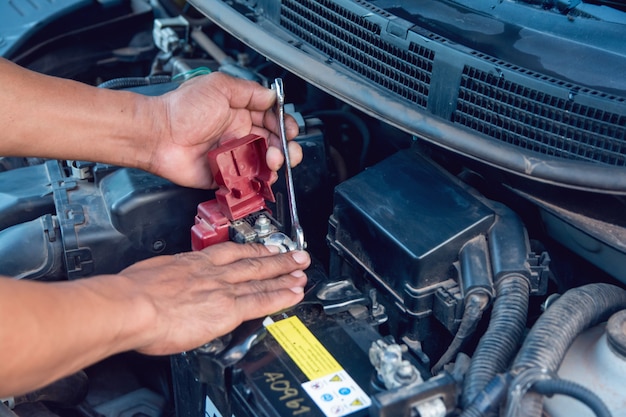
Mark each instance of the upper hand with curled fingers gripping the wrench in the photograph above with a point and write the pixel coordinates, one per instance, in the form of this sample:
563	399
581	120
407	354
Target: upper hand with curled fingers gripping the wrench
206	111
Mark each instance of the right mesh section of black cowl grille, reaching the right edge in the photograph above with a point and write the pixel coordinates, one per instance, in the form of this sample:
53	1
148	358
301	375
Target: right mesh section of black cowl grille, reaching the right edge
538	121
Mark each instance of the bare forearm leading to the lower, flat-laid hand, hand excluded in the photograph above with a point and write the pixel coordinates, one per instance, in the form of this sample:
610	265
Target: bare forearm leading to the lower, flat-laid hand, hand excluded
48	331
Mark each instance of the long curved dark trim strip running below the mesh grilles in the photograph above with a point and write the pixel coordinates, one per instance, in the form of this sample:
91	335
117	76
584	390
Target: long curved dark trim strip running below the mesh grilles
571	174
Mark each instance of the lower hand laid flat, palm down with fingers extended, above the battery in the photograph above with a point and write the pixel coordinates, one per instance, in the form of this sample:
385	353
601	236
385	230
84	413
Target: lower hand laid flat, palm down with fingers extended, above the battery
199	296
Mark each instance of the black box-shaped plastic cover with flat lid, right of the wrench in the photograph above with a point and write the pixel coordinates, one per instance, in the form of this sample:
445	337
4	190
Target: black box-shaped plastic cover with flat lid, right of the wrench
404	221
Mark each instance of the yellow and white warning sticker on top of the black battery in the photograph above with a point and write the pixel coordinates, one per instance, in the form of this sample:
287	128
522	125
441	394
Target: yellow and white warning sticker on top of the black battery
331	388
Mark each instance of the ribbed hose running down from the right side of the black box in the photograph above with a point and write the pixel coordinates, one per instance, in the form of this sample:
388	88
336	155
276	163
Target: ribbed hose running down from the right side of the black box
502	338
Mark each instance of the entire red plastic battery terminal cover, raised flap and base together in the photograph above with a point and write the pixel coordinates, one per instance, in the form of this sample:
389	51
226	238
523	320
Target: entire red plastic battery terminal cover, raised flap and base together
243	177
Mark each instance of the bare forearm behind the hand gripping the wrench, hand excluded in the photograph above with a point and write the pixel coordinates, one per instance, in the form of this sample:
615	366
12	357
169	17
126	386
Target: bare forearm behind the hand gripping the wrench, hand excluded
62	119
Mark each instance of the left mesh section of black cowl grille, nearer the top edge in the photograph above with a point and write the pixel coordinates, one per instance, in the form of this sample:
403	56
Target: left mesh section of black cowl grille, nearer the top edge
355	42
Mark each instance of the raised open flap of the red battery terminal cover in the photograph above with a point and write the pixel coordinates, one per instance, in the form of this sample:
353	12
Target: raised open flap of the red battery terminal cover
243	177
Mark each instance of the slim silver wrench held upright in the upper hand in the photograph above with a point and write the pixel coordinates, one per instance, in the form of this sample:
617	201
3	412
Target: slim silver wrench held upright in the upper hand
297	234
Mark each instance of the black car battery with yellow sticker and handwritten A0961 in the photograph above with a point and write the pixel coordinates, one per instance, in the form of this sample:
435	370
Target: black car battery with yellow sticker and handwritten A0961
305	363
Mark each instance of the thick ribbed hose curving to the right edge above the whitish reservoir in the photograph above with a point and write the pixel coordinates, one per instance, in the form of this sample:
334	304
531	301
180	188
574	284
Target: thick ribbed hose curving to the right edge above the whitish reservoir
553	333
